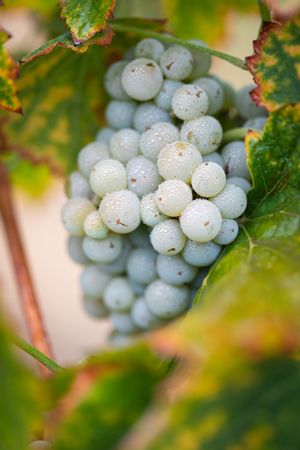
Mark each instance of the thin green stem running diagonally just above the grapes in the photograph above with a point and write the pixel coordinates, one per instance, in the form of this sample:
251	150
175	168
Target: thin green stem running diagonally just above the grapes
173	40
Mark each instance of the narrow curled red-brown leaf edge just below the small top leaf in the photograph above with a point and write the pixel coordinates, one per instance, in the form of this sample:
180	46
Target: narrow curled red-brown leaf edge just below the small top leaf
64	40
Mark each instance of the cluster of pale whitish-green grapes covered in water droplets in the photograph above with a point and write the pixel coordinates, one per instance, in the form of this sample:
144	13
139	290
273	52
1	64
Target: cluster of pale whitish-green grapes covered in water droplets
156	195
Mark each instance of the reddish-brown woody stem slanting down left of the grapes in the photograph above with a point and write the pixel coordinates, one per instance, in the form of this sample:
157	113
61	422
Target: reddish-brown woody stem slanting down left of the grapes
25	284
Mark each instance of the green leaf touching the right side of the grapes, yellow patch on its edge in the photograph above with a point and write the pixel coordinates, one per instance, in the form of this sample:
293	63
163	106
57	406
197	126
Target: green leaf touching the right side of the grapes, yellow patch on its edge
270	228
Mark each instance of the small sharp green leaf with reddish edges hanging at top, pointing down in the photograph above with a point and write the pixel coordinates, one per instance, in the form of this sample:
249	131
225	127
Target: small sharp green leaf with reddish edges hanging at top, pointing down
87	17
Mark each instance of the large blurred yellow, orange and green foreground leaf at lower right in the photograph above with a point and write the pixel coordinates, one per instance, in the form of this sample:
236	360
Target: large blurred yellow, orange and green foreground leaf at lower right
242	389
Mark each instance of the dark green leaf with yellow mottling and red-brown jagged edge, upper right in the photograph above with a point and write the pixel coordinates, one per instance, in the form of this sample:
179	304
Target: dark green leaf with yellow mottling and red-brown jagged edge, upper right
275	65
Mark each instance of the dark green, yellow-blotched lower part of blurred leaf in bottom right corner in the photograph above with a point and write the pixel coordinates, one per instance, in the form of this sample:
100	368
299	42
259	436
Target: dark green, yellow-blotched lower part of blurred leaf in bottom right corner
249	407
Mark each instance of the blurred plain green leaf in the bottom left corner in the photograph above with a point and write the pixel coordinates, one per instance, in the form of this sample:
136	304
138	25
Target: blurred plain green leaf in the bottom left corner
18	398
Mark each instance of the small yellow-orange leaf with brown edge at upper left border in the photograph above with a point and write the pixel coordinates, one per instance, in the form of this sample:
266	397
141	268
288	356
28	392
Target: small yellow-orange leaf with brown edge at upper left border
9	71
